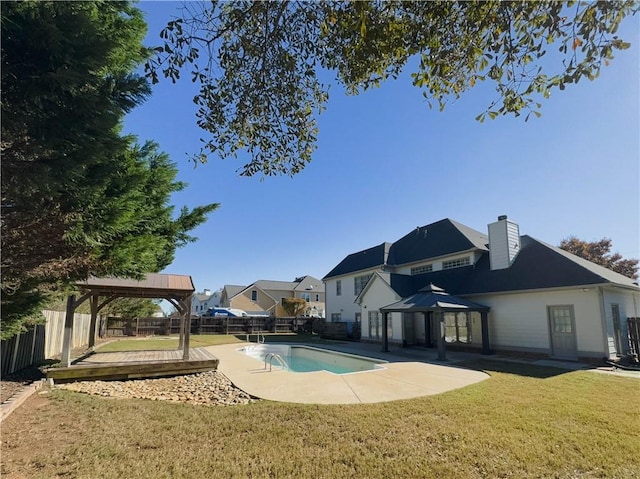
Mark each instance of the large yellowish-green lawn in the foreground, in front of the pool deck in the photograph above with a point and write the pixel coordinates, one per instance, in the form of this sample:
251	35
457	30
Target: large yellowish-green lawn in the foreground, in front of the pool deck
524	422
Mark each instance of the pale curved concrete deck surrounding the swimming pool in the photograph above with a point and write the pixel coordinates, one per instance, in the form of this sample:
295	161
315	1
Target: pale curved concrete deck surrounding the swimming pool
400	379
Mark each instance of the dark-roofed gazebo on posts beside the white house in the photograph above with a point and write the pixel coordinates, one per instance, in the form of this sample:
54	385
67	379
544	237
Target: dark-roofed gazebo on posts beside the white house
434	300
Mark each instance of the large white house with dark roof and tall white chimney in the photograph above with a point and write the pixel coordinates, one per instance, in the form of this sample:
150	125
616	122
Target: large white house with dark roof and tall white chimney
500	292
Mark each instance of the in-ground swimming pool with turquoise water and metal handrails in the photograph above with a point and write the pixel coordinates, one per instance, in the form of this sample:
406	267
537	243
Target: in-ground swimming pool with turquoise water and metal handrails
304	359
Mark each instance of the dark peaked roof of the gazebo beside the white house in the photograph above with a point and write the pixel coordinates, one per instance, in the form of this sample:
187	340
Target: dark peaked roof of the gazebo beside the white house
433	298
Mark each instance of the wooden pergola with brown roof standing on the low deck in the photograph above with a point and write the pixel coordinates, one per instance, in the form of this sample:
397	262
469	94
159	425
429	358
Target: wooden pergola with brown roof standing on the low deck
176	289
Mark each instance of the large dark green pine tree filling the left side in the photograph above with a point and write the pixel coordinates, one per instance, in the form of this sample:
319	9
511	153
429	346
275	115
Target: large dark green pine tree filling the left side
78	197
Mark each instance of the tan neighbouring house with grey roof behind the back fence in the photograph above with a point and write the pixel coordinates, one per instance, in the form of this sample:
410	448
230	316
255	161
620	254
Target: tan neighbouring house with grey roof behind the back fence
267	295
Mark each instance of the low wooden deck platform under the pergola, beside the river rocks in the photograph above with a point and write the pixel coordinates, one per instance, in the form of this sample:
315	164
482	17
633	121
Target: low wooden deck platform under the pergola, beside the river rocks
135	365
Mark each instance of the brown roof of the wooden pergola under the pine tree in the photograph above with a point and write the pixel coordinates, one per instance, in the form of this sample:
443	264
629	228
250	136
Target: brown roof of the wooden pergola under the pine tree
154	285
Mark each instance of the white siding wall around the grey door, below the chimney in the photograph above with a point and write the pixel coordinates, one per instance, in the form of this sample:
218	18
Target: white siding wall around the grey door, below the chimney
520	321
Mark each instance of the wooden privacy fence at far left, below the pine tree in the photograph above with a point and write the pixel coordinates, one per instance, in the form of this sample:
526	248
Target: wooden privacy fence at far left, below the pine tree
43	341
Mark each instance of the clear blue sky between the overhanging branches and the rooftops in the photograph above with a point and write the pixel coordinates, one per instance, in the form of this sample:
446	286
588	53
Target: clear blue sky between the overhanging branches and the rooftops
386	163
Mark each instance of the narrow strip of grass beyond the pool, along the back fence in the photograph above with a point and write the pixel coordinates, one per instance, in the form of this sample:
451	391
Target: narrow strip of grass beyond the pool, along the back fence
201	340
